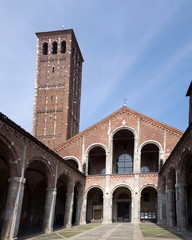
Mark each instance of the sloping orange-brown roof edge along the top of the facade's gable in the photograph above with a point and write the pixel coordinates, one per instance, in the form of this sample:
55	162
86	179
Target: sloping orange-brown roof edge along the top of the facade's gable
124	109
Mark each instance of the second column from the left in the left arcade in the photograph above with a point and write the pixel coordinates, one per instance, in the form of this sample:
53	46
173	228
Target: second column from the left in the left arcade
49	210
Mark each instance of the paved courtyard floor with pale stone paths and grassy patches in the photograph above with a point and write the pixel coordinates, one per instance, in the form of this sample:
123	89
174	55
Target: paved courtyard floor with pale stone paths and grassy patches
115	231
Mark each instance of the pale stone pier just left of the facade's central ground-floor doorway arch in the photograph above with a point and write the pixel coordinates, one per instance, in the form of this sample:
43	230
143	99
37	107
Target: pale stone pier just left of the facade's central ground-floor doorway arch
107	209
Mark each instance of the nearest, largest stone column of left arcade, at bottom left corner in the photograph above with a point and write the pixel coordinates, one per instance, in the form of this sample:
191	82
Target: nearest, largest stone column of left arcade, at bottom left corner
13	208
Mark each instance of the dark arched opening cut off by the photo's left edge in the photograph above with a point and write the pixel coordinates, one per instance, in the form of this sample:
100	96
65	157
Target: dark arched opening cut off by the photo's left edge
4	176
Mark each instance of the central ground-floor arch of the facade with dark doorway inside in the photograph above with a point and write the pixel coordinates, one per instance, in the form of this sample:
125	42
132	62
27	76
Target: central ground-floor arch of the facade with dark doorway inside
121	205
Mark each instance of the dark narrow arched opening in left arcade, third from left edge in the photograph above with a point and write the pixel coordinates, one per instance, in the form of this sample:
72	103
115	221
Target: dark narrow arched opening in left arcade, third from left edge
62	188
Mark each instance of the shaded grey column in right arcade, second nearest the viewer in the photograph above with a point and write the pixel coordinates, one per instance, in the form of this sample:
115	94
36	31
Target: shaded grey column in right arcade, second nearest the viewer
170	207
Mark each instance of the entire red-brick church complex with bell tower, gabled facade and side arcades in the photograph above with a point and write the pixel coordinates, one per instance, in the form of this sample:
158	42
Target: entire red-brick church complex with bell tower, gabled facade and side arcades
125	168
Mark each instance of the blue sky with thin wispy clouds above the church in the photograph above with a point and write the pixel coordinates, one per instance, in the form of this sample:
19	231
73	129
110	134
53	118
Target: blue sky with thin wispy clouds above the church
134	49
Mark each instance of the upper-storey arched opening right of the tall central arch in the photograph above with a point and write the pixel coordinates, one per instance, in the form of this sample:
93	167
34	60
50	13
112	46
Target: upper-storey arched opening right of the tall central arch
149	158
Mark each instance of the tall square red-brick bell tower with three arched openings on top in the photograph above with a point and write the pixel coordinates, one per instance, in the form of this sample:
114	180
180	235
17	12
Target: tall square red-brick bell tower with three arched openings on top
58	87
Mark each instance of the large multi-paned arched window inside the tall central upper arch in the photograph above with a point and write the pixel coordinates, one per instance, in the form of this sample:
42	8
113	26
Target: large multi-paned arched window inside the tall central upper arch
124	164
